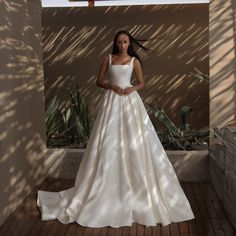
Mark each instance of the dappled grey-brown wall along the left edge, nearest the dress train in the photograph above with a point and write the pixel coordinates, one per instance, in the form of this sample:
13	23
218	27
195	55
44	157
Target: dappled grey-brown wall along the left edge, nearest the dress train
22	131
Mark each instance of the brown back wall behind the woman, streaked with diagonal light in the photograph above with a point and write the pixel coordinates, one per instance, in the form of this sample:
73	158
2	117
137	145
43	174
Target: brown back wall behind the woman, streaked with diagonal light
75	40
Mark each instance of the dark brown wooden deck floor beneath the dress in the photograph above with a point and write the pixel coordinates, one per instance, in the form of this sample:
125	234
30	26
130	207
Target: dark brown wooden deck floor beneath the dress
210	216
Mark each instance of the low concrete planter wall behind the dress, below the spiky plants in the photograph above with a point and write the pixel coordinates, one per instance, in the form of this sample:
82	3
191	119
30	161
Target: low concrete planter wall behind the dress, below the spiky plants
189	165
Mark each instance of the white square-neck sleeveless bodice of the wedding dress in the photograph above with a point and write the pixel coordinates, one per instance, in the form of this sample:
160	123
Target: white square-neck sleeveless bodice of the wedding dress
120	75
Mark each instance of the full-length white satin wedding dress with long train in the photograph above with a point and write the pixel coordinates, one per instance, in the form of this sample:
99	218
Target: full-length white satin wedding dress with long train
125	175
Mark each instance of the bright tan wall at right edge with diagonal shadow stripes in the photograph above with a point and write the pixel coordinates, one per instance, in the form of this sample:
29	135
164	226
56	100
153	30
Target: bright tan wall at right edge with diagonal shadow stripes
223	64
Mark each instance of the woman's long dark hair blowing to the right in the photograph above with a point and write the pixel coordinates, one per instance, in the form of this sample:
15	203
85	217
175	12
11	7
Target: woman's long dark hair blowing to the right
134	44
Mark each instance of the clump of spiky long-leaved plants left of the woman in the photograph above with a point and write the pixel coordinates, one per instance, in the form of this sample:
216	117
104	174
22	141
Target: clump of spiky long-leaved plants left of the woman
69	125
